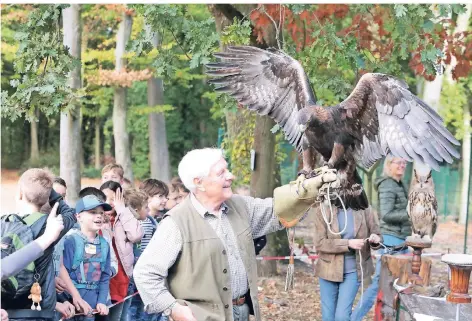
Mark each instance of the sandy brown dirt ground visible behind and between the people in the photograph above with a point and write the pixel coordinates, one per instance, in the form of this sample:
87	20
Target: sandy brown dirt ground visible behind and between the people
303	302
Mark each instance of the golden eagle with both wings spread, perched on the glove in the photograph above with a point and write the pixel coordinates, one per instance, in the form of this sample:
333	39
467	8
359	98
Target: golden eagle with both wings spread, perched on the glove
381	116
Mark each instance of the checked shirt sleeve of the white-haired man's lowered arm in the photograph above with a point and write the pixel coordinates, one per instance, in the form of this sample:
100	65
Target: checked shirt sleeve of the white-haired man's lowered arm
152	268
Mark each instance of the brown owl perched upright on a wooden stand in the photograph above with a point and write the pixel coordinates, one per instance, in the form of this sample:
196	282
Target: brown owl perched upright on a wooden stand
422	207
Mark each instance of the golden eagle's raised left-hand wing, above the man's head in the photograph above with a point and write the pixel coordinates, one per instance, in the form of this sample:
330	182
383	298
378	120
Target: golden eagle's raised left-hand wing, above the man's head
266	81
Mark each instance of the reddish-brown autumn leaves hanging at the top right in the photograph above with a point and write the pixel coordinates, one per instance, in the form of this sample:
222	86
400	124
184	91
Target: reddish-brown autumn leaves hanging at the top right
369	29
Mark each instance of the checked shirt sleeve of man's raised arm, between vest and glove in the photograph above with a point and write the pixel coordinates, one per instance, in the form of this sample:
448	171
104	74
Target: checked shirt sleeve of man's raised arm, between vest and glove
262	217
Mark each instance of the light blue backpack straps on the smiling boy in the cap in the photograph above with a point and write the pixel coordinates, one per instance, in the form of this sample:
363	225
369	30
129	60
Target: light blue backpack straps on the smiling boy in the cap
80	259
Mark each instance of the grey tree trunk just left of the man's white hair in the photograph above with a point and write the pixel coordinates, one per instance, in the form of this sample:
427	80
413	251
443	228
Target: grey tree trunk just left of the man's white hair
158	148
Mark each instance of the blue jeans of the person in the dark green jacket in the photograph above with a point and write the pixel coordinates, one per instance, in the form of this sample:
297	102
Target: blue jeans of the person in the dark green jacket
370	294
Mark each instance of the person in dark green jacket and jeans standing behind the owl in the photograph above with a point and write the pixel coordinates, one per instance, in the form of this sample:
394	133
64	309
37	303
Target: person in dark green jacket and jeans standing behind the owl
395	224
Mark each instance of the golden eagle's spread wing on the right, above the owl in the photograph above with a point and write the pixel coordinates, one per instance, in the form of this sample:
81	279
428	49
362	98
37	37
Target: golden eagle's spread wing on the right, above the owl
386	117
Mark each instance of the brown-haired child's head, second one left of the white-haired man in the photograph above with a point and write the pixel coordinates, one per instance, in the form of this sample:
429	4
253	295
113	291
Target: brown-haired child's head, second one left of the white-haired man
157	192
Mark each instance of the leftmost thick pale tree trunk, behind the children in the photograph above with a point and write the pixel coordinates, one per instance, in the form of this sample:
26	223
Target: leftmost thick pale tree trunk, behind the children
70	121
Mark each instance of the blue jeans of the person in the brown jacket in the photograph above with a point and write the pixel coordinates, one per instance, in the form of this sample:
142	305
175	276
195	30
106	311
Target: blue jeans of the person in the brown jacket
337	297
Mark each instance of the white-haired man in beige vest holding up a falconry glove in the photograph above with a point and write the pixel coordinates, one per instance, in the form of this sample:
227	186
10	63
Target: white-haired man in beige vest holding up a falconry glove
200	263
